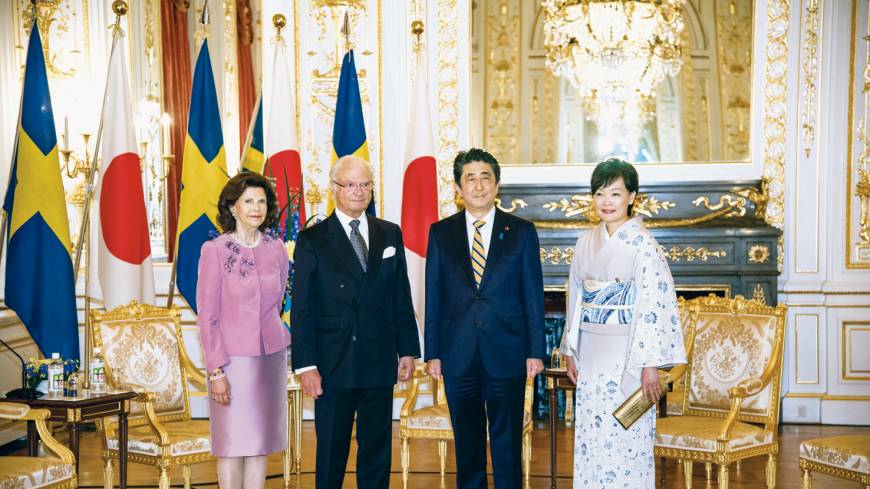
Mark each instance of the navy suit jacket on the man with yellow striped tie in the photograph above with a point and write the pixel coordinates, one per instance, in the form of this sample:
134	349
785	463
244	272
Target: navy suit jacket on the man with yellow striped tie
503	320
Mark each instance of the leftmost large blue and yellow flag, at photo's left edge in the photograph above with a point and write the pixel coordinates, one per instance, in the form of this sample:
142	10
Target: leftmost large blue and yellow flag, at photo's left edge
40	287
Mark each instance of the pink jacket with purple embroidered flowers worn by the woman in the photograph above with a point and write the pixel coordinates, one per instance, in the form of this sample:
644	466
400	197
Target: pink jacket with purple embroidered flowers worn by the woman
238	297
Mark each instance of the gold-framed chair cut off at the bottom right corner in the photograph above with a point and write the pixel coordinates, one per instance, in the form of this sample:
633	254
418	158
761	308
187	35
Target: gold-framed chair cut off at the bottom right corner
846	457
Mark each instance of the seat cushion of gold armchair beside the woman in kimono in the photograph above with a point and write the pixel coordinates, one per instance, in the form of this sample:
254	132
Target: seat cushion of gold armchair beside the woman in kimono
699	433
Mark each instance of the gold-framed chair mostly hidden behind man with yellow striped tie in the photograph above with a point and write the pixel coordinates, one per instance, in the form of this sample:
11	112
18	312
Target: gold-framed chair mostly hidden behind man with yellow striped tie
433	422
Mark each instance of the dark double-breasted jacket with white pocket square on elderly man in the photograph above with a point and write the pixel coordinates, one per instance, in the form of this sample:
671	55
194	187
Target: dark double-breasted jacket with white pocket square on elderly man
352	325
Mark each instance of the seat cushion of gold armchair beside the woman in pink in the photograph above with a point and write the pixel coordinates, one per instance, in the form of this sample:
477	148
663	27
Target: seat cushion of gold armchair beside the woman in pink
185	437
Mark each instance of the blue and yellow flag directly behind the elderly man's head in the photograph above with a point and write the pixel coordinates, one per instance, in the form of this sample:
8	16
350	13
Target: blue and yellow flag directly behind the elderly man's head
349	130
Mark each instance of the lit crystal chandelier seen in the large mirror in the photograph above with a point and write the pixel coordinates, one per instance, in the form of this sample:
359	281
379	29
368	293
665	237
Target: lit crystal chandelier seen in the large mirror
615	52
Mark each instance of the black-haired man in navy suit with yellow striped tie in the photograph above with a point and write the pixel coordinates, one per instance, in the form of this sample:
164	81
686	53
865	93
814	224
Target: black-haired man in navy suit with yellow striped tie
484	322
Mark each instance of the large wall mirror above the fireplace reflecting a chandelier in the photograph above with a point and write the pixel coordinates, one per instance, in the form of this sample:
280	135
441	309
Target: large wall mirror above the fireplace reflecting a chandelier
577	81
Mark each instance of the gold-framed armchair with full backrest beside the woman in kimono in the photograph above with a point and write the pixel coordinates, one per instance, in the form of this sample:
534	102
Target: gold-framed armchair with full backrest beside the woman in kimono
731	396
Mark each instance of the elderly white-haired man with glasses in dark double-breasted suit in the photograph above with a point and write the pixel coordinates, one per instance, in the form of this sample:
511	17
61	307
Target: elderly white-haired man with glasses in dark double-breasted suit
354	330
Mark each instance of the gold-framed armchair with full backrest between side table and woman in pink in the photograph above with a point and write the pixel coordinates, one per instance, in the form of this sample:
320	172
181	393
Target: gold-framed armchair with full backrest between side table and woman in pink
144	351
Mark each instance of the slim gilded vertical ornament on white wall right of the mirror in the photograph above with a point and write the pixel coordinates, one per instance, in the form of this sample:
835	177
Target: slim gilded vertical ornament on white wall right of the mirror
809	71
